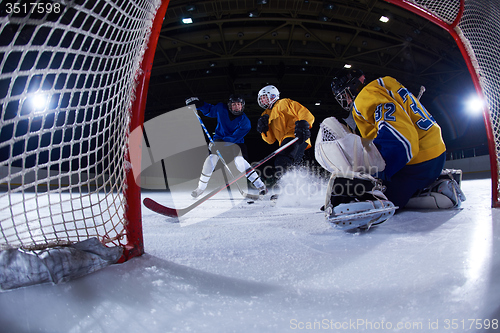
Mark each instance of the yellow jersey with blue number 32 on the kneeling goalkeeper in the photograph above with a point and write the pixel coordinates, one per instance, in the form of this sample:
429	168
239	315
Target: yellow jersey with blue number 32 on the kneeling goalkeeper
401	128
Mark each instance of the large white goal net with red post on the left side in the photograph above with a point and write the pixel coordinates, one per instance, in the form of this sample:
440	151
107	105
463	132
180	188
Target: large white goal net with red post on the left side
72	79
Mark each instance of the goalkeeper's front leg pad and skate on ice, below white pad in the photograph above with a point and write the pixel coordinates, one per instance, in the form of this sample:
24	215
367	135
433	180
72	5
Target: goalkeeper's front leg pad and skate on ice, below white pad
356	200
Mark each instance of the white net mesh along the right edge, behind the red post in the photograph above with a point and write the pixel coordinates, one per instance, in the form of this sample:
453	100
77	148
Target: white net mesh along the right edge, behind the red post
479	30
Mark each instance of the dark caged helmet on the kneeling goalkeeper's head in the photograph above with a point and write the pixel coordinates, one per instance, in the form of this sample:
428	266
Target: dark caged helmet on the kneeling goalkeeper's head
346	85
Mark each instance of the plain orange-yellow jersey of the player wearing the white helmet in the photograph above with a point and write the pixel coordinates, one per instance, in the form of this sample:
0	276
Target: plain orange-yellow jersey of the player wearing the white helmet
282	118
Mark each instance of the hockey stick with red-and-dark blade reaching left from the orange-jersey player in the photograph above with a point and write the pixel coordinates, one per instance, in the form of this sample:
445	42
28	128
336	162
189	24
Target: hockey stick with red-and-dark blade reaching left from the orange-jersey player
173	212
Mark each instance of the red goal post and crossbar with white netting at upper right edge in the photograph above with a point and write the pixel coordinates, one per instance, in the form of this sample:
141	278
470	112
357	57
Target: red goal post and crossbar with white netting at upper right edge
475	26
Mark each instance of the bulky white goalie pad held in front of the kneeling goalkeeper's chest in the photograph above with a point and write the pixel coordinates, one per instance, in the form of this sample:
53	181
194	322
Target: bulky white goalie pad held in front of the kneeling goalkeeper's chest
338	150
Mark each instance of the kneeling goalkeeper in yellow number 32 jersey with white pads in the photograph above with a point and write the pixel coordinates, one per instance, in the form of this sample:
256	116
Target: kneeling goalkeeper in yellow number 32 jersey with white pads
396	162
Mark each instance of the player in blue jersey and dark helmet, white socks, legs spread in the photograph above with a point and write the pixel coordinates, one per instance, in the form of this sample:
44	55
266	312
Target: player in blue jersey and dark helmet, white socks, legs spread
232	126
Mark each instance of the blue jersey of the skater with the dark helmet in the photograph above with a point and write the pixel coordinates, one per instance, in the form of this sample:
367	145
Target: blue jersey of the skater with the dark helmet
227	130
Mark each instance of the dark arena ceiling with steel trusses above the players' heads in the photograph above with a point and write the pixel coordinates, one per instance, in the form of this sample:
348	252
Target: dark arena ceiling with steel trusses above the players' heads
297	45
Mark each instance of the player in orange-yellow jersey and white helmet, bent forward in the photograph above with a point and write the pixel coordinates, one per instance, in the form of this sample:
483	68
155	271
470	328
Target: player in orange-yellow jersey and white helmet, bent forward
283	120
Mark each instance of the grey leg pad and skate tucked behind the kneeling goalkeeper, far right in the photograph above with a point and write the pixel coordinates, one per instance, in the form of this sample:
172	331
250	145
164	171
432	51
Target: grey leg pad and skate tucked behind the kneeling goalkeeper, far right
444	193
